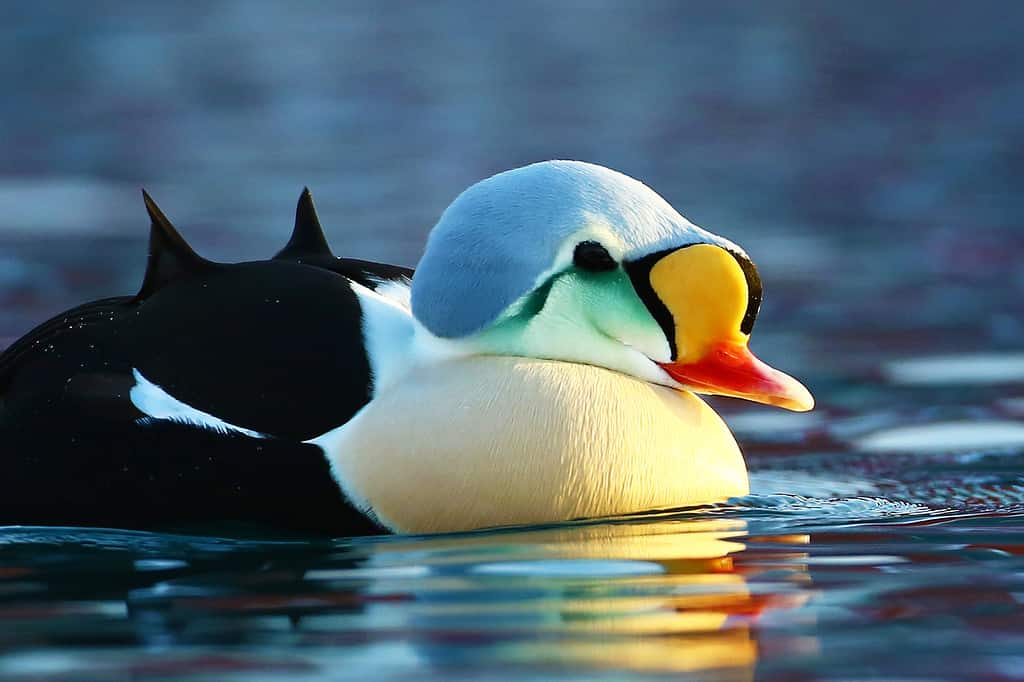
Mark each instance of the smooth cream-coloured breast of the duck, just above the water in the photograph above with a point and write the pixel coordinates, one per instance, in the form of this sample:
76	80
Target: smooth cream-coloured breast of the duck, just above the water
484	442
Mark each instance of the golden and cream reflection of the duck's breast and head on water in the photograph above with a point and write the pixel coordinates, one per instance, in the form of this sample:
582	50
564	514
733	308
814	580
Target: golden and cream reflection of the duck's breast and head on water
670	595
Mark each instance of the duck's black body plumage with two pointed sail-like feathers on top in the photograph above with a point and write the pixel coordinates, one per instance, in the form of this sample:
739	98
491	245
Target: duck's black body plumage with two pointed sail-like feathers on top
273	347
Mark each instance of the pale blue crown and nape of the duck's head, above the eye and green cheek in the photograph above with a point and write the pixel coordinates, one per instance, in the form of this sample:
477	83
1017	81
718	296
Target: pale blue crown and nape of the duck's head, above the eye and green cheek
499	237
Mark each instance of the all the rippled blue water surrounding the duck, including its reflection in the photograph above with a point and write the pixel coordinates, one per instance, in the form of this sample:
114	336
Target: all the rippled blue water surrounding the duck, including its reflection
868	157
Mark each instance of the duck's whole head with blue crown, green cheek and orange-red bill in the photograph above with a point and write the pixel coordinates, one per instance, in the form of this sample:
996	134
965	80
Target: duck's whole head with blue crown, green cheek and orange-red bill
572	262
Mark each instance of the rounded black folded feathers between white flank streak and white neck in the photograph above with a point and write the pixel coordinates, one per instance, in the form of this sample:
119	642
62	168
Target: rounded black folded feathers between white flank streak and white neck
273	347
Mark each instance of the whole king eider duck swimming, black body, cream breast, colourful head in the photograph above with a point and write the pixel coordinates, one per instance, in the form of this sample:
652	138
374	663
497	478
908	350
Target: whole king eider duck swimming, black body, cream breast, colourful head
541	366
